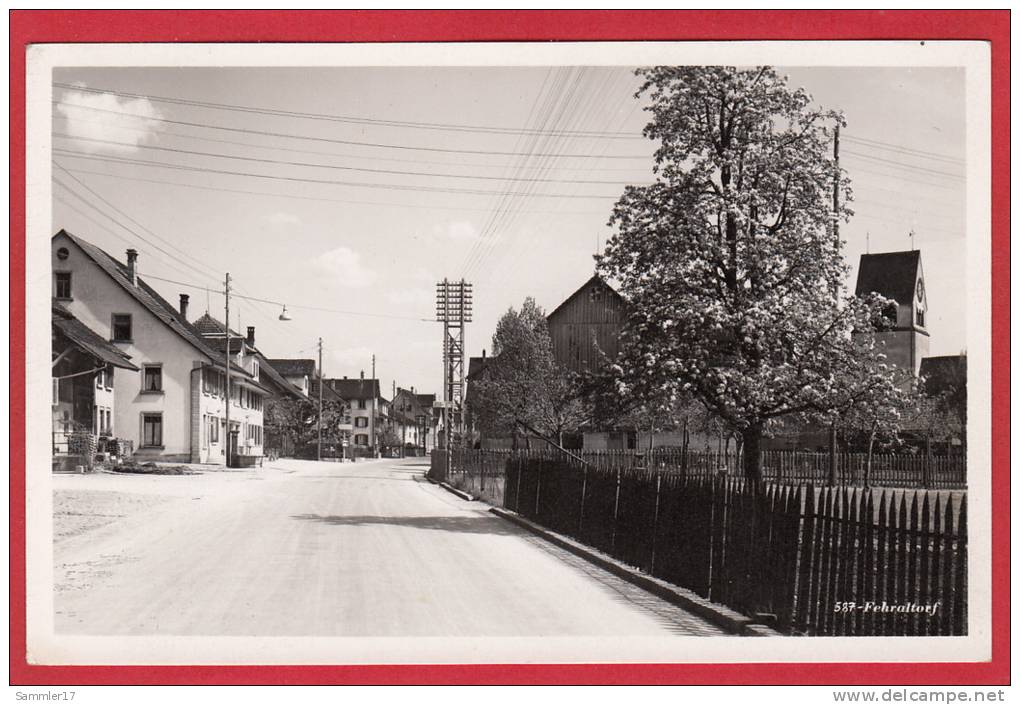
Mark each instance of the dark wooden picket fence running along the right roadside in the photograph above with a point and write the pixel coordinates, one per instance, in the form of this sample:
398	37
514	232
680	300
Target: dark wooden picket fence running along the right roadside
806	560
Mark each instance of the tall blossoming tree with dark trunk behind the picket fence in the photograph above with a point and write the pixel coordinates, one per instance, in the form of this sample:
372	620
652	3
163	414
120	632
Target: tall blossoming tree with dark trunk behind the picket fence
729	260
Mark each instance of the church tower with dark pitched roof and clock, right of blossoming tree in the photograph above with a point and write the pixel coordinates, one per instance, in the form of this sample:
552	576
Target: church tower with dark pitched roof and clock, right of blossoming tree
899	276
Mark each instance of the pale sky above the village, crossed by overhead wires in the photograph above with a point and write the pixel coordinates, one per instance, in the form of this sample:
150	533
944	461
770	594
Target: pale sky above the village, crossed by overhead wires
346	194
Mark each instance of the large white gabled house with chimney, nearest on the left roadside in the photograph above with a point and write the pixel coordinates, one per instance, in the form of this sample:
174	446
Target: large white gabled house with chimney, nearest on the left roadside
174	408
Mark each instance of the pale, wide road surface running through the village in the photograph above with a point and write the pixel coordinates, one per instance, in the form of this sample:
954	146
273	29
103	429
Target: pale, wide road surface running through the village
301	548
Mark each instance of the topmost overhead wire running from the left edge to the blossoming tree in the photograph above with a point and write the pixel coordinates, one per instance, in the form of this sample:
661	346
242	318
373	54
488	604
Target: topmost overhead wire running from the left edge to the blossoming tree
448	127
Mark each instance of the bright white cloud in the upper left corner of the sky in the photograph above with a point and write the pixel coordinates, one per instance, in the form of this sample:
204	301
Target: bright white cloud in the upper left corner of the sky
96	120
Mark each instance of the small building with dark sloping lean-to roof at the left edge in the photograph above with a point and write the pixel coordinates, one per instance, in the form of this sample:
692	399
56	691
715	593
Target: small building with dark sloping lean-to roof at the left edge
84	366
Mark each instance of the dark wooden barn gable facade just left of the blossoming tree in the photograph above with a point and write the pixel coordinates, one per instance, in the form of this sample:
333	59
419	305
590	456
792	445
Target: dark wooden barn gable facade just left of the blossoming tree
587	326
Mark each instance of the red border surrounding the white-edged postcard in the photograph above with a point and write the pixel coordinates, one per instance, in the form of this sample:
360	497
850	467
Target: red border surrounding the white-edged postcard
28	27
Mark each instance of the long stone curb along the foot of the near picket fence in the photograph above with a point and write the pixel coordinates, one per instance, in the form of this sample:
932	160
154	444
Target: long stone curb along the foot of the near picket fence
729	620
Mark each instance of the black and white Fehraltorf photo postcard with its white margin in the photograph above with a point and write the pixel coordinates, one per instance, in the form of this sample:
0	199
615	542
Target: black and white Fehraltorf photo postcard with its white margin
462	355
